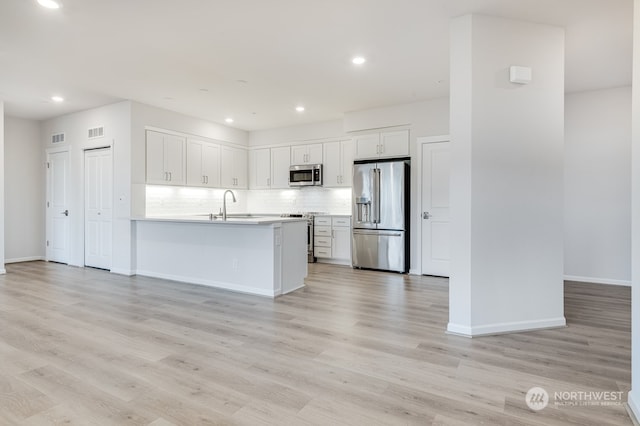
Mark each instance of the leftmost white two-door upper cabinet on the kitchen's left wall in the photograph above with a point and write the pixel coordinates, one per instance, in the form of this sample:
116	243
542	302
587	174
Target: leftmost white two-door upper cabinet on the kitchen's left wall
165	157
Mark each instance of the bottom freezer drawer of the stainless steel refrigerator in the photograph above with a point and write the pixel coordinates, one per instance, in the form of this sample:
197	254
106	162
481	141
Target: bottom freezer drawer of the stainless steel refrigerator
379	250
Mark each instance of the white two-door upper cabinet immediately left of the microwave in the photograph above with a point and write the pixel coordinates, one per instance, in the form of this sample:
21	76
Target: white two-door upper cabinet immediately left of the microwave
269	168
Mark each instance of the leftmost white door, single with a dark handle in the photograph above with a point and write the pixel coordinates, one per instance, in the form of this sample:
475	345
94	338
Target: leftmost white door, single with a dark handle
57	246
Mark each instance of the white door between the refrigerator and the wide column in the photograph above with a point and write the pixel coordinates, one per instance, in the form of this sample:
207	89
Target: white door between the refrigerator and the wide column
435	208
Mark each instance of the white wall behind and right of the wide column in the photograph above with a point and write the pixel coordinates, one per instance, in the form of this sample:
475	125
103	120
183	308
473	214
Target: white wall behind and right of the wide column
597	222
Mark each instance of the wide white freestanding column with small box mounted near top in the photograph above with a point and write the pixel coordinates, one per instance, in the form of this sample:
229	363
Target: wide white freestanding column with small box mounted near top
507	177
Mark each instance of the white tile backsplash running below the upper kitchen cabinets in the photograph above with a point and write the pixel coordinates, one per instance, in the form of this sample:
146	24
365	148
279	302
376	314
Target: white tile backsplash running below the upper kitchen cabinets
175	201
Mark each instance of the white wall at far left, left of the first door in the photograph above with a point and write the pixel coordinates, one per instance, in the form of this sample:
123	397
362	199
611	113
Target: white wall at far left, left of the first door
24	191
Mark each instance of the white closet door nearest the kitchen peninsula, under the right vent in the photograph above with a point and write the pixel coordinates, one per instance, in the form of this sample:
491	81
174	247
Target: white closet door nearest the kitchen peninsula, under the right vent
98	208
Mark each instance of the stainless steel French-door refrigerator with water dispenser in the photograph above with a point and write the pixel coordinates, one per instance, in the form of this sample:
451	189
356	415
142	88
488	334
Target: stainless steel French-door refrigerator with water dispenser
380	238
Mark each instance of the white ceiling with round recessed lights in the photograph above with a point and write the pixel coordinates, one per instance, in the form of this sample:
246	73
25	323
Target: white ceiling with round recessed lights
255	60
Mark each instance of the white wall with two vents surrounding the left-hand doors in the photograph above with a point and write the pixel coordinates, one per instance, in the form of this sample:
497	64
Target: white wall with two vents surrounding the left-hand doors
116	121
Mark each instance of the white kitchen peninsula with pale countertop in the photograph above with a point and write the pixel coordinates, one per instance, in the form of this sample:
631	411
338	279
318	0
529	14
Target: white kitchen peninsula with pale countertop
262	255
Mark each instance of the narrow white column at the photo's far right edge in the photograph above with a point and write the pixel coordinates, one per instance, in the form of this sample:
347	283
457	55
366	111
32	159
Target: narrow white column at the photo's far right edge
634	394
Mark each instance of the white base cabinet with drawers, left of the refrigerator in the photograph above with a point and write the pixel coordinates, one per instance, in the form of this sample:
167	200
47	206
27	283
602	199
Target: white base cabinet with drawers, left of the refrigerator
332	239
